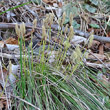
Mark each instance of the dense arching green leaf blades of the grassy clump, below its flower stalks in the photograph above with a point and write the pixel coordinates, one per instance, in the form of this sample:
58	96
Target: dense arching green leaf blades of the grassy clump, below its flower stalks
49	89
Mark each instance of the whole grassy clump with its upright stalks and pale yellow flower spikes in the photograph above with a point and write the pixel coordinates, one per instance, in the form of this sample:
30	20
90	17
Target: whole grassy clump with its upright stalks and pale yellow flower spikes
48	88
